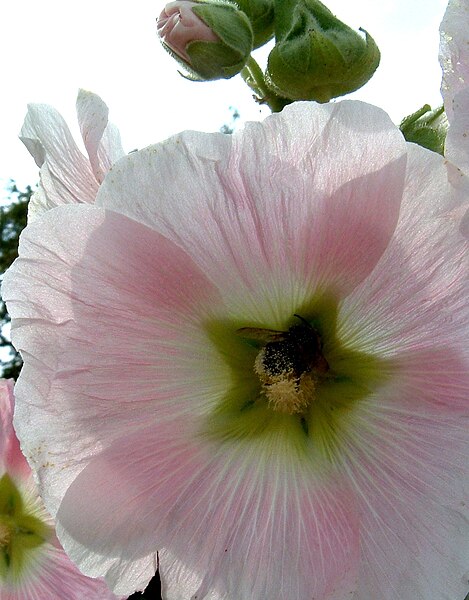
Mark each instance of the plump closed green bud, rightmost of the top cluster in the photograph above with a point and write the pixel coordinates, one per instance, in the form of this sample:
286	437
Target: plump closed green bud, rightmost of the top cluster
316	56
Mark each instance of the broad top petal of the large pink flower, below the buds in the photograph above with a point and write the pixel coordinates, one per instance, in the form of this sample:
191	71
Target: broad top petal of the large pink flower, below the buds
319	178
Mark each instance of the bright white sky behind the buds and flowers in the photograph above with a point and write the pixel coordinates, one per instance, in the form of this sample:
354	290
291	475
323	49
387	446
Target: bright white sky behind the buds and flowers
50	48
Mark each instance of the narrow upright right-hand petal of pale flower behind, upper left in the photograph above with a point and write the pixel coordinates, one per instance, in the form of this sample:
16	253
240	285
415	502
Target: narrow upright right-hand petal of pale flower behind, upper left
101	139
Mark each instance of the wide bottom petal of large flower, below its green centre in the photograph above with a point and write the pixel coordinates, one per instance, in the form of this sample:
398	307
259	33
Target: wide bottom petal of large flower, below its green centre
263	528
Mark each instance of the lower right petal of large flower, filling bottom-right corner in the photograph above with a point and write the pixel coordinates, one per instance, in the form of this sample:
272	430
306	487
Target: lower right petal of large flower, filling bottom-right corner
408	463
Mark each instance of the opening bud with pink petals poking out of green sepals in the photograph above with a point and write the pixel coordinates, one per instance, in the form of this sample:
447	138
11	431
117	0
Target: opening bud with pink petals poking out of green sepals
212	40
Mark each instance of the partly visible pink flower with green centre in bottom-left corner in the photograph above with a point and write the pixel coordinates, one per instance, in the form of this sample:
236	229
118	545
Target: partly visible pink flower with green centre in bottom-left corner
33	565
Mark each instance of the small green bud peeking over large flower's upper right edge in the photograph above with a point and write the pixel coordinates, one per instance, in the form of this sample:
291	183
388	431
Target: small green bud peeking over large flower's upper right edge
427	128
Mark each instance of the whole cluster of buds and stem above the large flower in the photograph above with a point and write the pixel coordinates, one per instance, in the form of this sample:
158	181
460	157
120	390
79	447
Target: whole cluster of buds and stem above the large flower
315	56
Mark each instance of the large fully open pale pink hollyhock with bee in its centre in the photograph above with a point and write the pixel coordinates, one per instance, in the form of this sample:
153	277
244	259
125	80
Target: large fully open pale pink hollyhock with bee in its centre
251	354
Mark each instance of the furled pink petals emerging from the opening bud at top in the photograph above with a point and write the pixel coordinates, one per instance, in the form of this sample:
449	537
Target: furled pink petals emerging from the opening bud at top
178	25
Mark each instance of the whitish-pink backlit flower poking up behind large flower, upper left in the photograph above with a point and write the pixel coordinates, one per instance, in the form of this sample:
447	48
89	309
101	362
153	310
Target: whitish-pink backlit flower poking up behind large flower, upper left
66	175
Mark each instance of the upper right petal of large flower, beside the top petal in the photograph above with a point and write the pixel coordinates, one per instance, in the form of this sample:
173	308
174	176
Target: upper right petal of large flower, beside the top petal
415	301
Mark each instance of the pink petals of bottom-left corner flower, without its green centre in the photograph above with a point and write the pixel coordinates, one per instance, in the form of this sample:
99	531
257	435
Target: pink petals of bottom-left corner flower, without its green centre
47	571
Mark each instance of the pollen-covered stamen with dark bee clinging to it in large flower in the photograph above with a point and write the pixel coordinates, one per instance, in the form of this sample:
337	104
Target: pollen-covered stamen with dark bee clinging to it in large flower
289	365
